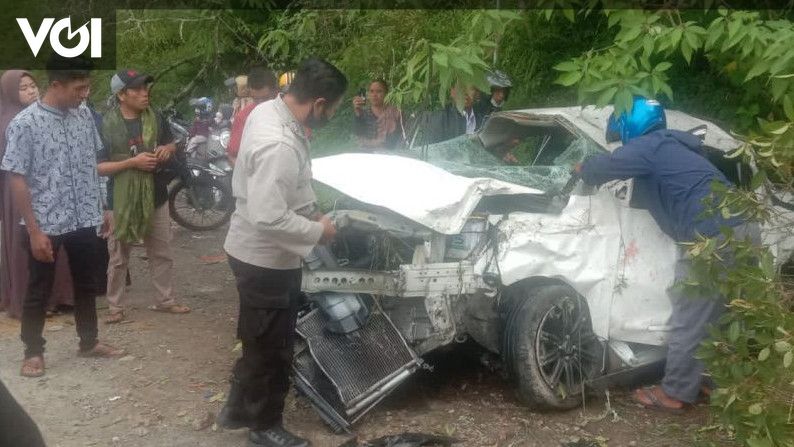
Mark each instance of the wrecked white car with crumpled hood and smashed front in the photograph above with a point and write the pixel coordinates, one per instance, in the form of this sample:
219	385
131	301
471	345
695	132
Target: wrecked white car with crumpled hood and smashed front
447	243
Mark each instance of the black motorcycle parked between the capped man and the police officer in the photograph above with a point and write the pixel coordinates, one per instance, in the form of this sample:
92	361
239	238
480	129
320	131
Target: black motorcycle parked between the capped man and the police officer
201	197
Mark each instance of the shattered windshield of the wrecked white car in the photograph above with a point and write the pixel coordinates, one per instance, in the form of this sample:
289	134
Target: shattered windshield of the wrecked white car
466	156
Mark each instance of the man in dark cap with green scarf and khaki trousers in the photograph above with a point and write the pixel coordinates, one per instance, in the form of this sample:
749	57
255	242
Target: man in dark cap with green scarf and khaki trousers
138	143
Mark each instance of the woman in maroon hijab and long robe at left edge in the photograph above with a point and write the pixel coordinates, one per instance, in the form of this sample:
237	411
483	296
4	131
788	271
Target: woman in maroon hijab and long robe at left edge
18	90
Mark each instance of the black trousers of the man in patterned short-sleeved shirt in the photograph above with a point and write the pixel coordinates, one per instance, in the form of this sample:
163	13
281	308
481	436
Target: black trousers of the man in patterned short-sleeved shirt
82	248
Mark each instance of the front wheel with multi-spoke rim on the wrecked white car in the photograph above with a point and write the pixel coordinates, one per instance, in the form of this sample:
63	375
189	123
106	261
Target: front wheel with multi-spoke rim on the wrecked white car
549	346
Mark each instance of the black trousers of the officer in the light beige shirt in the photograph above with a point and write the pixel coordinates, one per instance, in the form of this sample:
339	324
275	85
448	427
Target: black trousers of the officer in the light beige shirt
269	301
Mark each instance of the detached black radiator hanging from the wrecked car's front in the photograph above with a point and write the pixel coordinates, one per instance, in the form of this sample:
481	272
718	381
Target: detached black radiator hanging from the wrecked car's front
357	364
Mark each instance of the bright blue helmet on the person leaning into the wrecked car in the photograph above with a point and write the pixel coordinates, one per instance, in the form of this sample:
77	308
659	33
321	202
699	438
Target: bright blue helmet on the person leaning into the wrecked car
646	115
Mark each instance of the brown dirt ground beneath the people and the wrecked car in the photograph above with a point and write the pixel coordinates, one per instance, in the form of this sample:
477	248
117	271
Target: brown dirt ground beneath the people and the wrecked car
168	389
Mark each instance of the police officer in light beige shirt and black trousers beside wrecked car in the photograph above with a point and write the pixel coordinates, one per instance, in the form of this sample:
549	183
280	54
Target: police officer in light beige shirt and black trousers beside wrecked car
273	227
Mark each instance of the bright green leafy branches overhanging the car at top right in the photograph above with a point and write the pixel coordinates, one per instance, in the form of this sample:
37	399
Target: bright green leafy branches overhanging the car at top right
648	43
